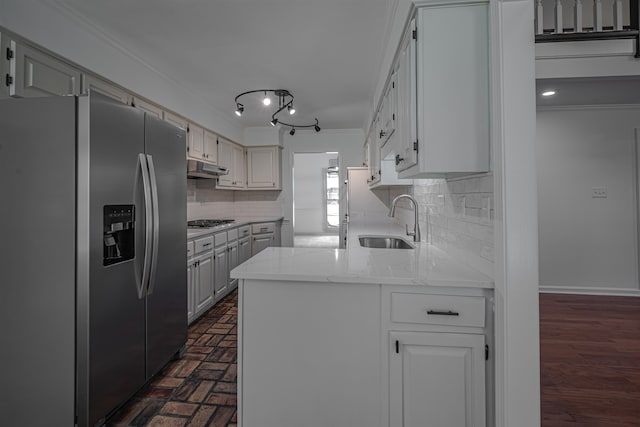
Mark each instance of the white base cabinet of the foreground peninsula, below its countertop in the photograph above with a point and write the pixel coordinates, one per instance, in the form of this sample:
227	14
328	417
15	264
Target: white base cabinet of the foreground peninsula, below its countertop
363	355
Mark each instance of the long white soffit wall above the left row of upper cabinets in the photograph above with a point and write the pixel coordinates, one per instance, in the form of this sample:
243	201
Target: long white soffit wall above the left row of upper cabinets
68	36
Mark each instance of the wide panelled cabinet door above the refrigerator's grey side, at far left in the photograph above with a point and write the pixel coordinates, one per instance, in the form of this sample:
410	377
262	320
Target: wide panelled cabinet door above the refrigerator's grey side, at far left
37	74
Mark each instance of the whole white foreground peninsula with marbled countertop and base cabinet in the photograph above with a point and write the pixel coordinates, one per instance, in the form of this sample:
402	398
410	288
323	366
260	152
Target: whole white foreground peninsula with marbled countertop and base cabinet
363	337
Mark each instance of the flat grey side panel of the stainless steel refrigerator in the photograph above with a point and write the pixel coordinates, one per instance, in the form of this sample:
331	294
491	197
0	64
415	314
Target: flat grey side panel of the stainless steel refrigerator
37	261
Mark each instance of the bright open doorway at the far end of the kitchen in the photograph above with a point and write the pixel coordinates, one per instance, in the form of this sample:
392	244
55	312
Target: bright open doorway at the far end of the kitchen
316	199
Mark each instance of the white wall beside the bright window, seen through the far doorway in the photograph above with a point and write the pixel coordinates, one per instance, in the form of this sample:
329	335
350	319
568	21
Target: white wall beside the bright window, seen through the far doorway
309	171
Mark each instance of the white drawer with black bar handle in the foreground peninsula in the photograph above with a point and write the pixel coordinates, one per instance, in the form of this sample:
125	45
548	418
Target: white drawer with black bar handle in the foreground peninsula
437	309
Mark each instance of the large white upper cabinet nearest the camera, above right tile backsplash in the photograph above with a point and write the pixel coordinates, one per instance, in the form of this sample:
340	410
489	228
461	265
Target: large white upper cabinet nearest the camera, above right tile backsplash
452	92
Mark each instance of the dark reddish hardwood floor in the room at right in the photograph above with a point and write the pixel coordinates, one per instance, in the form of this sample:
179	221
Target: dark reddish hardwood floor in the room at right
589	360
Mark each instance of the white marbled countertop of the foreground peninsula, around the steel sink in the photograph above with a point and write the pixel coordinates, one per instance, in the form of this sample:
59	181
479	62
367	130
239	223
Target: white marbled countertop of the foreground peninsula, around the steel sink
425	265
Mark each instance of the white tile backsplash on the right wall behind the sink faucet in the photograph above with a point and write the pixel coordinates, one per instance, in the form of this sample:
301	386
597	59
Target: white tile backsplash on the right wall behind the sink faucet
457	216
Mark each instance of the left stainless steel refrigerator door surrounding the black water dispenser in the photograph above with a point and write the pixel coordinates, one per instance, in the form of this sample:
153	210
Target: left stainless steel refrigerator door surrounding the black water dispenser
111	314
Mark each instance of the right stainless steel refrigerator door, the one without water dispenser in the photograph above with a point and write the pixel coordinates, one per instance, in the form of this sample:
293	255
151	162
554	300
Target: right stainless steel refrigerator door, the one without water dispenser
167	290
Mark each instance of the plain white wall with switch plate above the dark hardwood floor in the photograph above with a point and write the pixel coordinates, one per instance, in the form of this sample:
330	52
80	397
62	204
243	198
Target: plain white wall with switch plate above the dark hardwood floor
586	243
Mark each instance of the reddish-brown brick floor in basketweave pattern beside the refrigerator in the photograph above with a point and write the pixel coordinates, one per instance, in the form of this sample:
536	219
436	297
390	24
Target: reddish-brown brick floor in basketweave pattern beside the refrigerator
199	389
